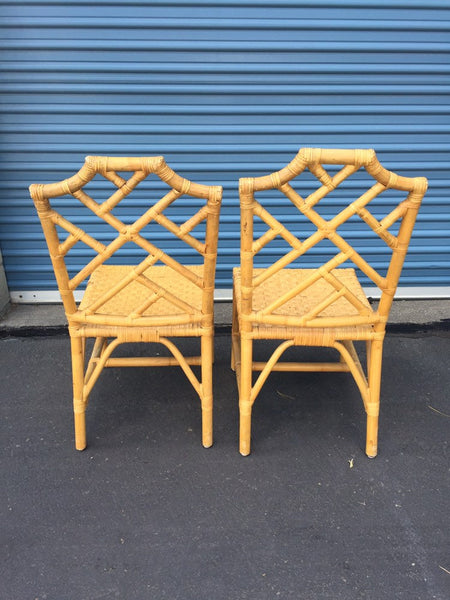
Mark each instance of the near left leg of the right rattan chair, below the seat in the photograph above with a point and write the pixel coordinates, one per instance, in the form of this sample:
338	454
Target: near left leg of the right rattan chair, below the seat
245	404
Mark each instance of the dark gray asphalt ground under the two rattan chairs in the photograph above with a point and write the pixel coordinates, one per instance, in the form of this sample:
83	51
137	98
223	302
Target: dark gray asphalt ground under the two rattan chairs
146	512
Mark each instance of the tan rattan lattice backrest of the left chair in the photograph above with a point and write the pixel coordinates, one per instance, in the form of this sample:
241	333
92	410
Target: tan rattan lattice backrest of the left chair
141	167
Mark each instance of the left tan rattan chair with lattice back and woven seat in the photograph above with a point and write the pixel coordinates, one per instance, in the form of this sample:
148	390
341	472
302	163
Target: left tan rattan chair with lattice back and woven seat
144	302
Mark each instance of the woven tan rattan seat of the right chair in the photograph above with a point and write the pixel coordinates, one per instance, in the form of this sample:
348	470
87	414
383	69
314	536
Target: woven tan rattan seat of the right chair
281	282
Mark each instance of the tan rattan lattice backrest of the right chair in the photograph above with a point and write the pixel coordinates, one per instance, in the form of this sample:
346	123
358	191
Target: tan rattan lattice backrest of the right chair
313	159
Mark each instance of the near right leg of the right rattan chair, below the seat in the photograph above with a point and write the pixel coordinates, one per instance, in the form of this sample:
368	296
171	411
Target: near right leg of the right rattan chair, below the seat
373	407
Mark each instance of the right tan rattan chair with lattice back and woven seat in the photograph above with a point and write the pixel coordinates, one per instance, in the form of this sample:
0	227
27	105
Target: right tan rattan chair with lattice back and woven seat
323	306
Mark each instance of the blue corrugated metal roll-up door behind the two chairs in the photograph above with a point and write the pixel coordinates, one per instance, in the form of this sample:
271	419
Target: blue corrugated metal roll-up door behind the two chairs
222	89
